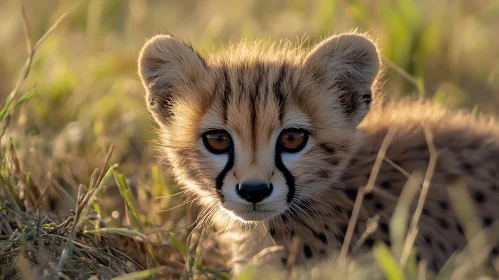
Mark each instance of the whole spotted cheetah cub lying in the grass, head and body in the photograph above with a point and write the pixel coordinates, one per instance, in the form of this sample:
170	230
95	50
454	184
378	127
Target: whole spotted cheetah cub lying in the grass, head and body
277	137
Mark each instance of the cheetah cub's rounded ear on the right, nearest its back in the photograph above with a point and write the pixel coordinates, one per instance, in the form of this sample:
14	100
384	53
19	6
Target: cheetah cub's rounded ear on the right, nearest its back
346	65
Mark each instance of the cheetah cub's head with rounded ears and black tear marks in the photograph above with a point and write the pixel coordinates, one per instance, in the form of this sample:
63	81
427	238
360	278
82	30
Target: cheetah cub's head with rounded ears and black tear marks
258	132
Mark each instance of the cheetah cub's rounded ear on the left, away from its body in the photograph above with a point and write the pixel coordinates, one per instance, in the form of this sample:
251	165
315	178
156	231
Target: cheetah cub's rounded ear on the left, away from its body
167	67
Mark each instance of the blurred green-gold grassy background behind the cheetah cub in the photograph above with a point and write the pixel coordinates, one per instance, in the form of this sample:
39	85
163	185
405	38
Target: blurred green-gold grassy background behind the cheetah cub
88	94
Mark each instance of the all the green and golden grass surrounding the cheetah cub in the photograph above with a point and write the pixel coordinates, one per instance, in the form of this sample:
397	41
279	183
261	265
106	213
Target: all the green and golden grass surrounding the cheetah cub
71	207
